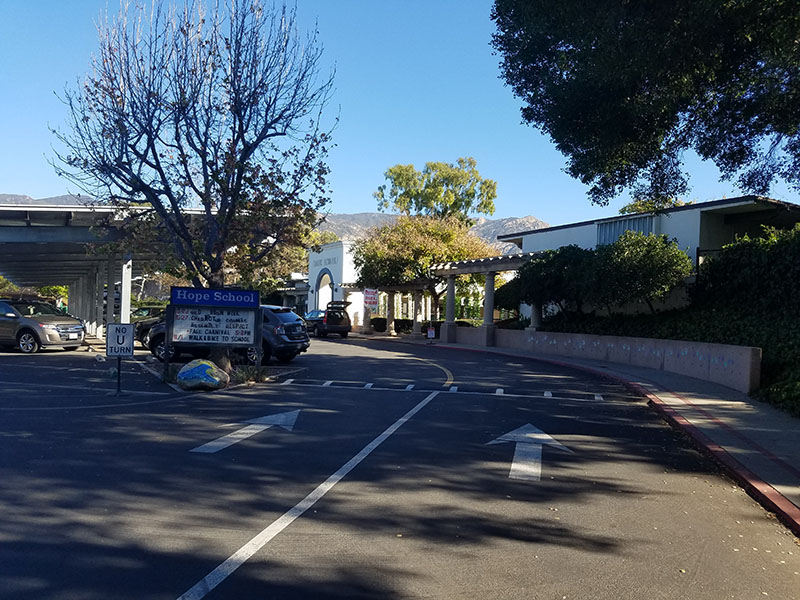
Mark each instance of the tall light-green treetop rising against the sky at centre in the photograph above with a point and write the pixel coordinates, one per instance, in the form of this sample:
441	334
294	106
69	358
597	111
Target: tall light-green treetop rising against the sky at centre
439	190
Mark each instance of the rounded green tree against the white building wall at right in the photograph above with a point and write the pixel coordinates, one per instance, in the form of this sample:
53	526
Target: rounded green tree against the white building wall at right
639	267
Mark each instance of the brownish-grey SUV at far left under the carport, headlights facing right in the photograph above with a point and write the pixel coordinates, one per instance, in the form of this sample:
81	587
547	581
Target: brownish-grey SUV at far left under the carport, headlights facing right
31	325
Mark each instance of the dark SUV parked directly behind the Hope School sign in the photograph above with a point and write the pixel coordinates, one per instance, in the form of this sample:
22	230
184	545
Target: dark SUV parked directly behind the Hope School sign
284	337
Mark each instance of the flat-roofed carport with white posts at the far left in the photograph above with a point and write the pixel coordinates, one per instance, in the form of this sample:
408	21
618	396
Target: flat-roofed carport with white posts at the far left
56	244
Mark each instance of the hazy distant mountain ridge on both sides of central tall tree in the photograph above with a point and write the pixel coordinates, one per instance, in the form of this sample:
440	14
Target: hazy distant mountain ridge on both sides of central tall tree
350	227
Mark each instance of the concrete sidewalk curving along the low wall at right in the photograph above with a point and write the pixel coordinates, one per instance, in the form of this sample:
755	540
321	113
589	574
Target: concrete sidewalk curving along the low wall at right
758	445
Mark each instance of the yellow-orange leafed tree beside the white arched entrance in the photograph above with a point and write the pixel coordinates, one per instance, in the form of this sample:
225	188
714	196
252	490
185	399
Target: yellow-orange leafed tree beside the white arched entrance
405	251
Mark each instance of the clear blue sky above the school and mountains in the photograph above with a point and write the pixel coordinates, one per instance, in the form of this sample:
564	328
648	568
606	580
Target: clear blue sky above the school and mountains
415	81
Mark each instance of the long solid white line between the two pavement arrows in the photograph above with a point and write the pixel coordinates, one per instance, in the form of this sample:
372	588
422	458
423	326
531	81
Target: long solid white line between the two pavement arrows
238	558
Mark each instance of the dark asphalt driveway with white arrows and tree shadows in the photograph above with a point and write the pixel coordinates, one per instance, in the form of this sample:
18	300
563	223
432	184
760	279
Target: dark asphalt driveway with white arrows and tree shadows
378	479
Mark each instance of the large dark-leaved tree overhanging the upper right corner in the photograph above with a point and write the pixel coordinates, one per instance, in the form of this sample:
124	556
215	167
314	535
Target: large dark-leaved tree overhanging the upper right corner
625	88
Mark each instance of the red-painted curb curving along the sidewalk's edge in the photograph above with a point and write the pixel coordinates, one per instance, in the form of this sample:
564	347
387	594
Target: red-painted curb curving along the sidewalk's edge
766	495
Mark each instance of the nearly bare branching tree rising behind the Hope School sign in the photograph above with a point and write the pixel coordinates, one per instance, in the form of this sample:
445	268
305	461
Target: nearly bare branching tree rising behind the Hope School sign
209	120
